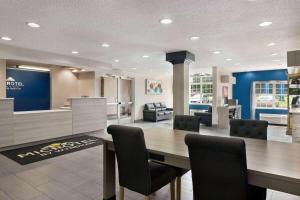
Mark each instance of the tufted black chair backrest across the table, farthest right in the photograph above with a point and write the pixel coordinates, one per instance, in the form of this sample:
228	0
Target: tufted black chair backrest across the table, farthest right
257	129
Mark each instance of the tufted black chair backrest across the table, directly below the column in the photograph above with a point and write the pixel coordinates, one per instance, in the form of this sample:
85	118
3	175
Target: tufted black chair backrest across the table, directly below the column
187	123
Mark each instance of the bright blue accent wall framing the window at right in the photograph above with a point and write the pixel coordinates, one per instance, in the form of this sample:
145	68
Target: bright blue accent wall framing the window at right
242	88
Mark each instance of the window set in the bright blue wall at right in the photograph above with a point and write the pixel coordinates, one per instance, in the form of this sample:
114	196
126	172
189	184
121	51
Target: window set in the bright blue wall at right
270	94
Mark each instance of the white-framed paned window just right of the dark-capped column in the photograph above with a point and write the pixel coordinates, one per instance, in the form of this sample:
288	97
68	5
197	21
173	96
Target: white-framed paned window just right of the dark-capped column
201	88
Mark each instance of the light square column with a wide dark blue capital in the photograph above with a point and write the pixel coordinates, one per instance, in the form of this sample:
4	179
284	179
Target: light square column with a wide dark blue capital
180	61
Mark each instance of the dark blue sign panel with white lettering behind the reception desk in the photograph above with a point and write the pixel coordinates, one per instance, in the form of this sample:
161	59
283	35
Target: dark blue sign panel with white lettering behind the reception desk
30	89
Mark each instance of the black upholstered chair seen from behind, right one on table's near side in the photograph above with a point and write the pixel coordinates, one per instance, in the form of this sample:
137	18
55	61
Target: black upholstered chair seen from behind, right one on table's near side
219	169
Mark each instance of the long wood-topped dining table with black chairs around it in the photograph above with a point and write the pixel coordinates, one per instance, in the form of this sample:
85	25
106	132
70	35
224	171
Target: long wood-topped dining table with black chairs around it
271	164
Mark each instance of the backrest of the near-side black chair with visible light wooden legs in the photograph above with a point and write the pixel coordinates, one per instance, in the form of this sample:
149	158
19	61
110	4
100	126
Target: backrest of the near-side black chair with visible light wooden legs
132	157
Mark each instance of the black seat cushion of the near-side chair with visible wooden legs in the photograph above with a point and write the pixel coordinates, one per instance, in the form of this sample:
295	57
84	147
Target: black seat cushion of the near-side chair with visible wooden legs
161	175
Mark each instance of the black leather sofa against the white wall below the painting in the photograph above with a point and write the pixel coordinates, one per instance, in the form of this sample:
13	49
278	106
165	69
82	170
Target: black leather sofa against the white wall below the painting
156	112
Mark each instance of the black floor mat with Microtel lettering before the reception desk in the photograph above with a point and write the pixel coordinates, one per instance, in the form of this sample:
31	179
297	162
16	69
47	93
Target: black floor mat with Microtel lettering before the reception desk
31	154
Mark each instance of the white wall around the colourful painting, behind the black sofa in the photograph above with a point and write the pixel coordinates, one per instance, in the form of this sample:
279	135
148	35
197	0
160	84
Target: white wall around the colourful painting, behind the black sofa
141	98
